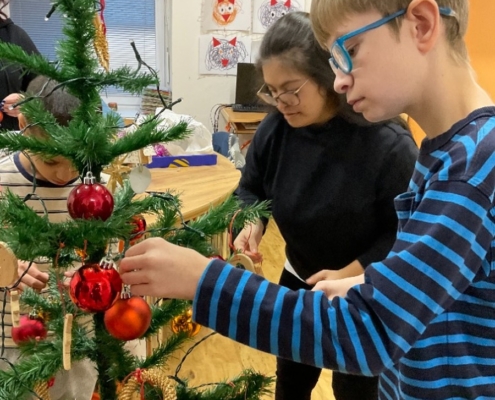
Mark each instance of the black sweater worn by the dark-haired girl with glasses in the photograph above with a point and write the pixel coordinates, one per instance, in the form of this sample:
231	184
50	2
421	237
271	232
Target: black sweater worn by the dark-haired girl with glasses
331	186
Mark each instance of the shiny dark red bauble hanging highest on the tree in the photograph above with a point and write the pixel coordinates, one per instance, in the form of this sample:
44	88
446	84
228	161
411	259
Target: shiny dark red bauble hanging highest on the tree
90	200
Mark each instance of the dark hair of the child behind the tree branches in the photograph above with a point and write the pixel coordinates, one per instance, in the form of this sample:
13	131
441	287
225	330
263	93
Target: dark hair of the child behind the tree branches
59	102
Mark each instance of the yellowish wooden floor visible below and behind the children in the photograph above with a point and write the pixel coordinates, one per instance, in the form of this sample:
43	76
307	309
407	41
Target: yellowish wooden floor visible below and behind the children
218	358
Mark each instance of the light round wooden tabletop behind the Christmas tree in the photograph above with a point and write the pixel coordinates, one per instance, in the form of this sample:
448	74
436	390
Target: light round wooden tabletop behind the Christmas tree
197	187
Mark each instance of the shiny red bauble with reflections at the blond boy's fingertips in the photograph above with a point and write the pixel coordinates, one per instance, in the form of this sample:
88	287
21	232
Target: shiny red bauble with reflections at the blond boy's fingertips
94	288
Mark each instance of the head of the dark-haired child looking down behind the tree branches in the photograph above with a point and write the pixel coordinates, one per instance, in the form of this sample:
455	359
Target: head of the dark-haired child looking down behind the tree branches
57	170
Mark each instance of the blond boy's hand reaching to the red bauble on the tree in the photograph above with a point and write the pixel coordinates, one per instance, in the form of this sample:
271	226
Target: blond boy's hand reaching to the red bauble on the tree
157	268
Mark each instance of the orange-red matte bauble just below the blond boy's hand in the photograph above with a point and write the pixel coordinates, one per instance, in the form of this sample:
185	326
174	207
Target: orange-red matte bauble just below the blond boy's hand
128	319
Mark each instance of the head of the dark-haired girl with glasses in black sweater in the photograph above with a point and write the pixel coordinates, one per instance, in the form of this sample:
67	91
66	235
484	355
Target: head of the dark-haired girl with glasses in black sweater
289	56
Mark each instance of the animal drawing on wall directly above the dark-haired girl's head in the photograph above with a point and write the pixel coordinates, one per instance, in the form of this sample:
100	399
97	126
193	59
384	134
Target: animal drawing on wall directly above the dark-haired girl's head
266	12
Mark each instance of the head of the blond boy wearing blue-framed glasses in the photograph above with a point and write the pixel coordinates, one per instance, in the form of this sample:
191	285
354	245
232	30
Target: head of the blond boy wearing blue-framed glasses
394	56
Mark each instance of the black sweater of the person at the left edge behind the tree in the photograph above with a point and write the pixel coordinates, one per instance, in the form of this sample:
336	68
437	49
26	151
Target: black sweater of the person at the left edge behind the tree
12	79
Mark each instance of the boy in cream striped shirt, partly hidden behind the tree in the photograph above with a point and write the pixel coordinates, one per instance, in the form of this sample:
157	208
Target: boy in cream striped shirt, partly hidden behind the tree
55	178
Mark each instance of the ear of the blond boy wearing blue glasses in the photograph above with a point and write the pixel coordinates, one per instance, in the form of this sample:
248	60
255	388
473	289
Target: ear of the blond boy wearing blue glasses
426	23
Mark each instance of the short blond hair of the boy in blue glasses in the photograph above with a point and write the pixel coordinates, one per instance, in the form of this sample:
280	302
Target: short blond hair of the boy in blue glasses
326	14
